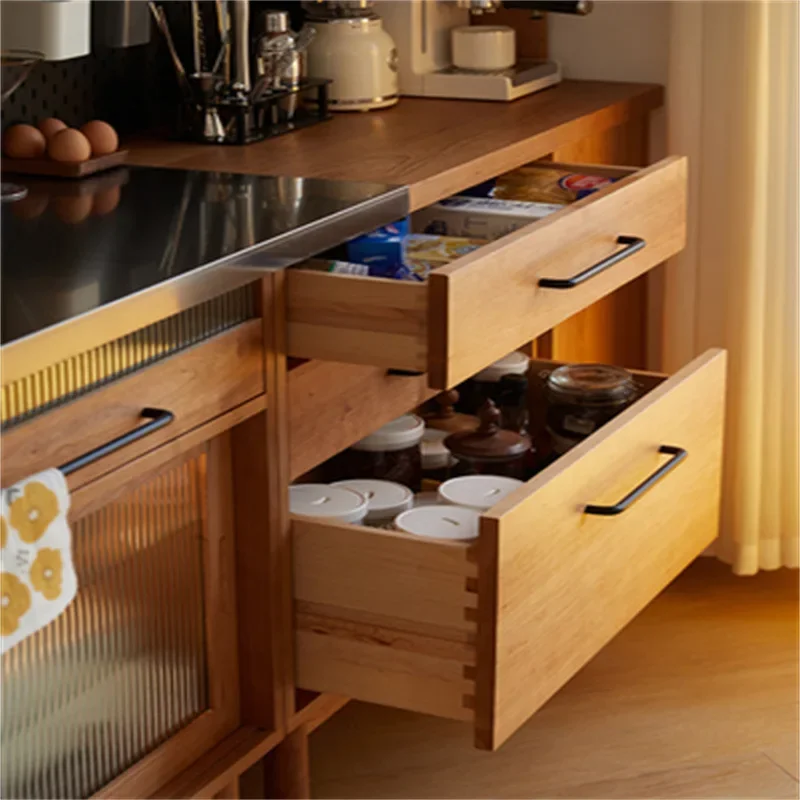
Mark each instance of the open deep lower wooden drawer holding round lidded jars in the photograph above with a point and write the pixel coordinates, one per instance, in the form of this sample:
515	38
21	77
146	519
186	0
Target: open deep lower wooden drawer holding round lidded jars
487	631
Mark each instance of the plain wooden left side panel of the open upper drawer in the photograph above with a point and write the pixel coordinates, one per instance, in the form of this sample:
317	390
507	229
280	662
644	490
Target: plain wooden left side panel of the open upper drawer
357	320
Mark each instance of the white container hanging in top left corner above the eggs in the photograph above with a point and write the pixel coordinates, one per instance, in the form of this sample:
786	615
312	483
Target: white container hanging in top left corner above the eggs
59	29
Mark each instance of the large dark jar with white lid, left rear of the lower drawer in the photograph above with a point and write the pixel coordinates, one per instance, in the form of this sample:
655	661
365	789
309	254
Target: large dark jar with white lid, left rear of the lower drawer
392	453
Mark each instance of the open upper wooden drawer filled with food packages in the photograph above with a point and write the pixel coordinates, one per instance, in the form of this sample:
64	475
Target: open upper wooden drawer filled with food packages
480	307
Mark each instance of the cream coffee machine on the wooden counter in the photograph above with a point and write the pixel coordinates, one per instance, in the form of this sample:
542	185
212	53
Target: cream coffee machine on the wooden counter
441	55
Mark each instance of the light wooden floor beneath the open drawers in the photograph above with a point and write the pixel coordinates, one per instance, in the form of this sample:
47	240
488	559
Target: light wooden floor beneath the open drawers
697	698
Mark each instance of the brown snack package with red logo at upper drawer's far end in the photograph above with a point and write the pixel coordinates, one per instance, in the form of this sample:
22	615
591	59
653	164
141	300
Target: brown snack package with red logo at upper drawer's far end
548	185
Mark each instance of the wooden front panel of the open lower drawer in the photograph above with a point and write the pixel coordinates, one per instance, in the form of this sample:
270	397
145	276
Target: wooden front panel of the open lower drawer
556	584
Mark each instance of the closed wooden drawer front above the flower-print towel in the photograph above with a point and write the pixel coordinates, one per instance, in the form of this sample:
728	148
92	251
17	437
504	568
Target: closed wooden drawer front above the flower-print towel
196	385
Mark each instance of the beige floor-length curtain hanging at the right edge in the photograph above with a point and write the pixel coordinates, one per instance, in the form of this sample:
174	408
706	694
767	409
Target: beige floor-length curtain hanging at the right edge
733	109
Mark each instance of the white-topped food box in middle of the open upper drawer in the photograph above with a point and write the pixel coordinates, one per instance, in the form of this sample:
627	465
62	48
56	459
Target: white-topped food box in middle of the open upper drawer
479	217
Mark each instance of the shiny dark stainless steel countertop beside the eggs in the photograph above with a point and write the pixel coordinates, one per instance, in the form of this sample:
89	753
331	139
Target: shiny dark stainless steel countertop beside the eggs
139	242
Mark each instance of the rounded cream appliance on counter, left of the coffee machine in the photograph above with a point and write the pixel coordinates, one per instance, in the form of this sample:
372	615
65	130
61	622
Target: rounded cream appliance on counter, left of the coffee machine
352	48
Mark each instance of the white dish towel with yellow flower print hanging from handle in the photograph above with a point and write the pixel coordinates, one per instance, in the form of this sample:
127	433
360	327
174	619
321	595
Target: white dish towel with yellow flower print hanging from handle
37	576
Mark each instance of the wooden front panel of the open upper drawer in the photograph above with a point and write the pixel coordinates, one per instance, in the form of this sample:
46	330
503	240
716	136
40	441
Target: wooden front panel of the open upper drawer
488	303
